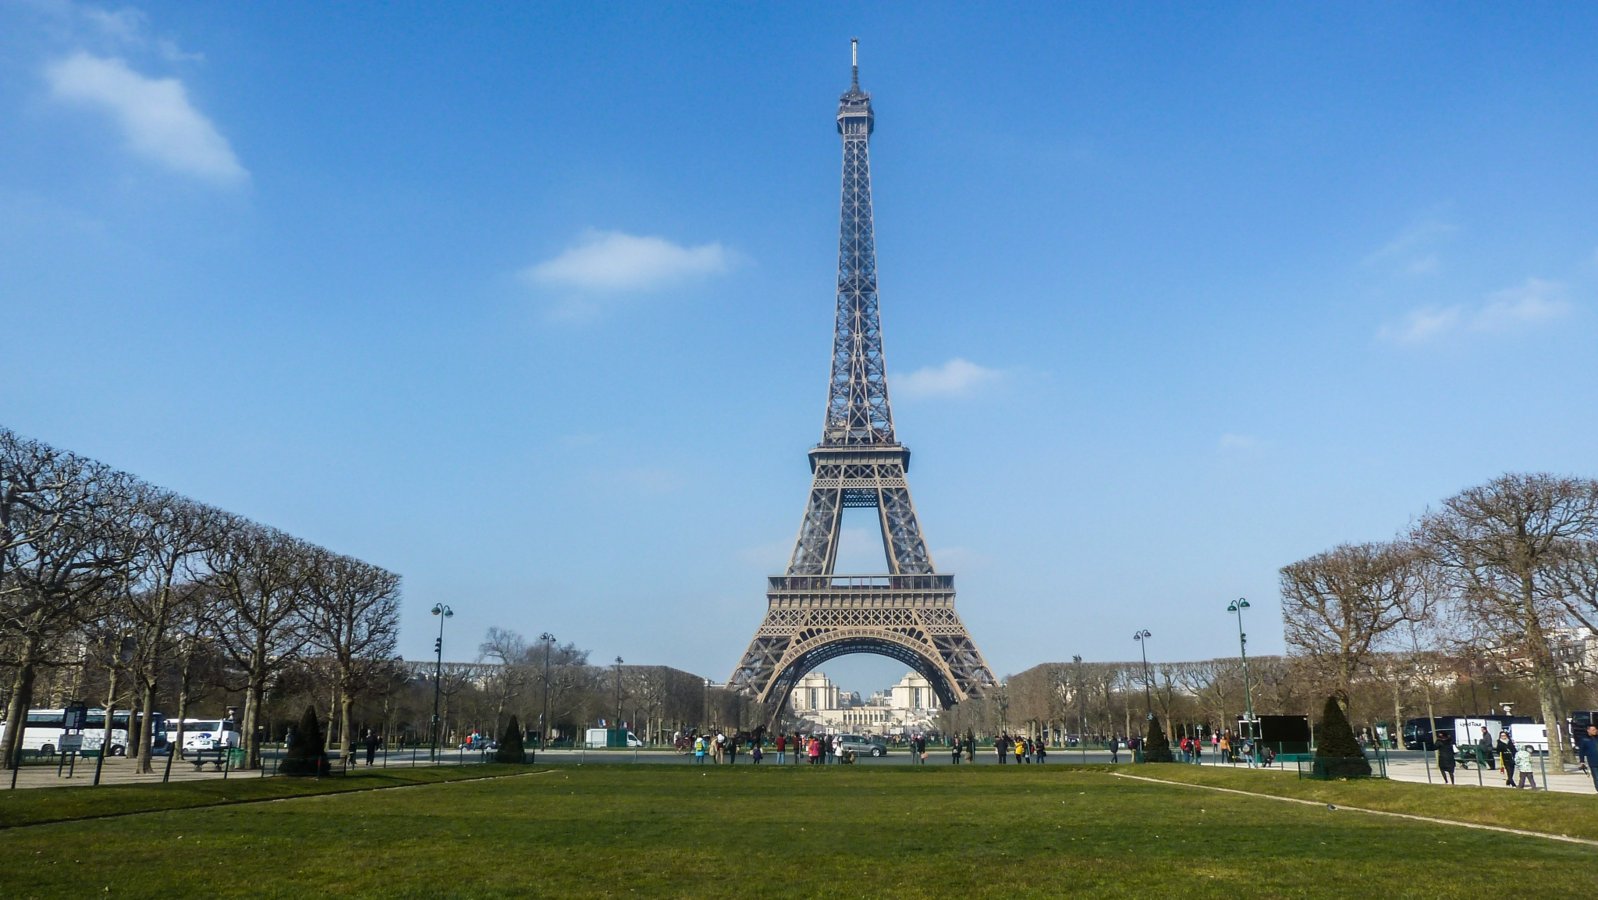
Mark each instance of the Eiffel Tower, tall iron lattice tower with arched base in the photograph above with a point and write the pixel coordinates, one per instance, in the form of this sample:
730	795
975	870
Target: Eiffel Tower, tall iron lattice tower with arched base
814	615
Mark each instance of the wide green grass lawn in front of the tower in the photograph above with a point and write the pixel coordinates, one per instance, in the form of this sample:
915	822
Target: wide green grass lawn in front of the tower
760	832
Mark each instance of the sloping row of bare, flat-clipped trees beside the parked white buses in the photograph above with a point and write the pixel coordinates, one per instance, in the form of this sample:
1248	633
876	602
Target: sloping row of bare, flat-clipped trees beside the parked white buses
98	567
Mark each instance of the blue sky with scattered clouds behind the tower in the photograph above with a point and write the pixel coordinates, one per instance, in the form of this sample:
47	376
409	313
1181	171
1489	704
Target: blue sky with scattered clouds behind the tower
533	305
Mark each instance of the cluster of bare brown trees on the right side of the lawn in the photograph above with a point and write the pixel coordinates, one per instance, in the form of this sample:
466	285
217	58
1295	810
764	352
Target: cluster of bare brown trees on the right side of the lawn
1503	576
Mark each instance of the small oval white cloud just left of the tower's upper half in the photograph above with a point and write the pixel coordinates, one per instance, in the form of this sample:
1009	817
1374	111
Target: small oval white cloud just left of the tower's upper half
616	261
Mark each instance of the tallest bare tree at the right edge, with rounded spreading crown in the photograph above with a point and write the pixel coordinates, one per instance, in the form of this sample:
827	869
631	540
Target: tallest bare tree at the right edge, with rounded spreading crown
1501	546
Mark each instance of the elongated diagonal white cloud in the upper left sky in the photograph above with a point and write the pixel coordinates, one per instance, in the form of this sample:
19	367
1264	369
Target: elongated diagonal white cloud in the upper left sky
154	114
